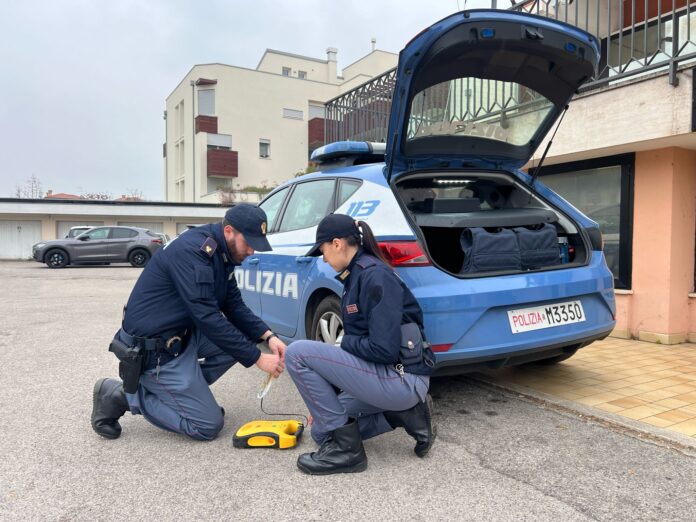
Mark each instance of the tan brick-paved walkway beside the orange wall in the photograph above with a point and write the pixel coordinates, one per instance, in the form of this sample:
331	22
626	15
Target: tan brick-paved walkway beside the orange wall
648	382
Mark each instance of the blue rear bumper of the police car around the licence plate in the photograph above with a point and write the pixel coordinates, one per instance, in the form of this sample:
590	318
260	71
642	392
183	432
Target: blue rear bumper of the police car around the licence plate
472	315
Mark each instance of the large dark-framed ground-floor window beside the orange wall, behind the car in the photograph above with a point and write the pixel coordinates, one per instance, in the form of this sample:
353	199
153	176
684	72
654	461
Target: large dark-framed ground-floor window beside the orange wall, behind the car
603	190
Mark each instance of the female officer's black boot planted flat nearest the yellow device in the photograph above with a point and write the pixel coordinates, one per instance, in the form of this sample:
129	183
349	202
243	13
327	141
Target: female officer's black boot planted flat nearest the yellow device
341	452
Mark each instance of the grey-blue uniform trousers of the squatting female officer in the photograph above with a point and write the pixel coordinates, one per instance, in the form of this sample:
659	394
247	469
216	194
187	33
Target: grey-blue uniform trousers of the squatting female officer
367	388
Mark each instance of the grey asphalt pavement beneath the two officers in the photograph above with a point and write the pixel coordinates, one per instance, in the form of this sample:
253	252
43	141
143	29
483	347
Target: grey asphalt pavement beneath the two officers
498	456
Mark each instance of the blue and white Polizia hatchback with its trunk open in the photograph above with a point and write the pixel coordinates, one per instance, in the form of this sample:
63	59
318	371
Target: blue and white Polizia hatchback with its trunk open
505	270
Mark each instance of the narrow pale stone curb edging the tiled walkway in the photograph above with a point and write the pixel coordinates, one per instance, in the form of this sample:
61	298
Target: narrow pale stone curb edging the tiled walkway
633	428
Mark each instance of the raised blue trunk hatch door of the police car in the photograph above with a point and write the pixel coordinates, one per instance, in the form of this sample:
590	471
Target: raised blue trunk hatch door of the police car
481	88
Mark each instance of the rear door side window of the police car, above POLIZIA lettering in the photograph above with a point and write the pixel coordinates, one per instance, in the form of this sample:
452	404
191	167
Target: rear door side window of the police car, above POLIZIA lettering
309	203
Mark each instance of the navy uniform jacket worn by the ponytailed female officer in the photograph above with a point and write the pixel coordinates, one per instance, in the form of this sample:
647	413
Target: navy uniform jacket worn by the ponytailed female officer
374	305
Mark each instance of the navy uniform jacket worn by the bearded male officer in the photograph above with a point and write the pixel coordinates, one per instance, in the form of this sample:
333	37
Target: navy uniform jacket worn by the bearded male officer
190	283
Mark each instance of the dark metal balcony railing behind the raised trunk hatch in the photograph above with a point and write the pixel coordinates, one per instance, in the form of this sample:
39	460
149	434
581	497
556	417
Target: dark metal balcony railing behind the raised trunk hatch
638	37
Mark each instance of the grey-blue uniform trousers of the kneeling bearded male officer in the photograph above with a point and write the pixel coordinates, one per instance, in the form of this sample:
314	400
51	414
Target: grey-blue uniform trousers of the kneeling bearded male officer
179	399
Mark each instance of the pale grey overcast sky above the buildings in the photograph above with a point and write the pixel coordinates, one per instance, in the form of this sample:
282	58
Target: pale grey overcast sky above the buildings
83	83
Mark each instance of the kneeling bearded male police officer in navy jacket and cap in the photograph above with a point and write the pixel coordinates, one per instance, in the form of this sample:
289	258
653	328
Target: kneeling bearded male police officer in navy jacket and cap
184	307
